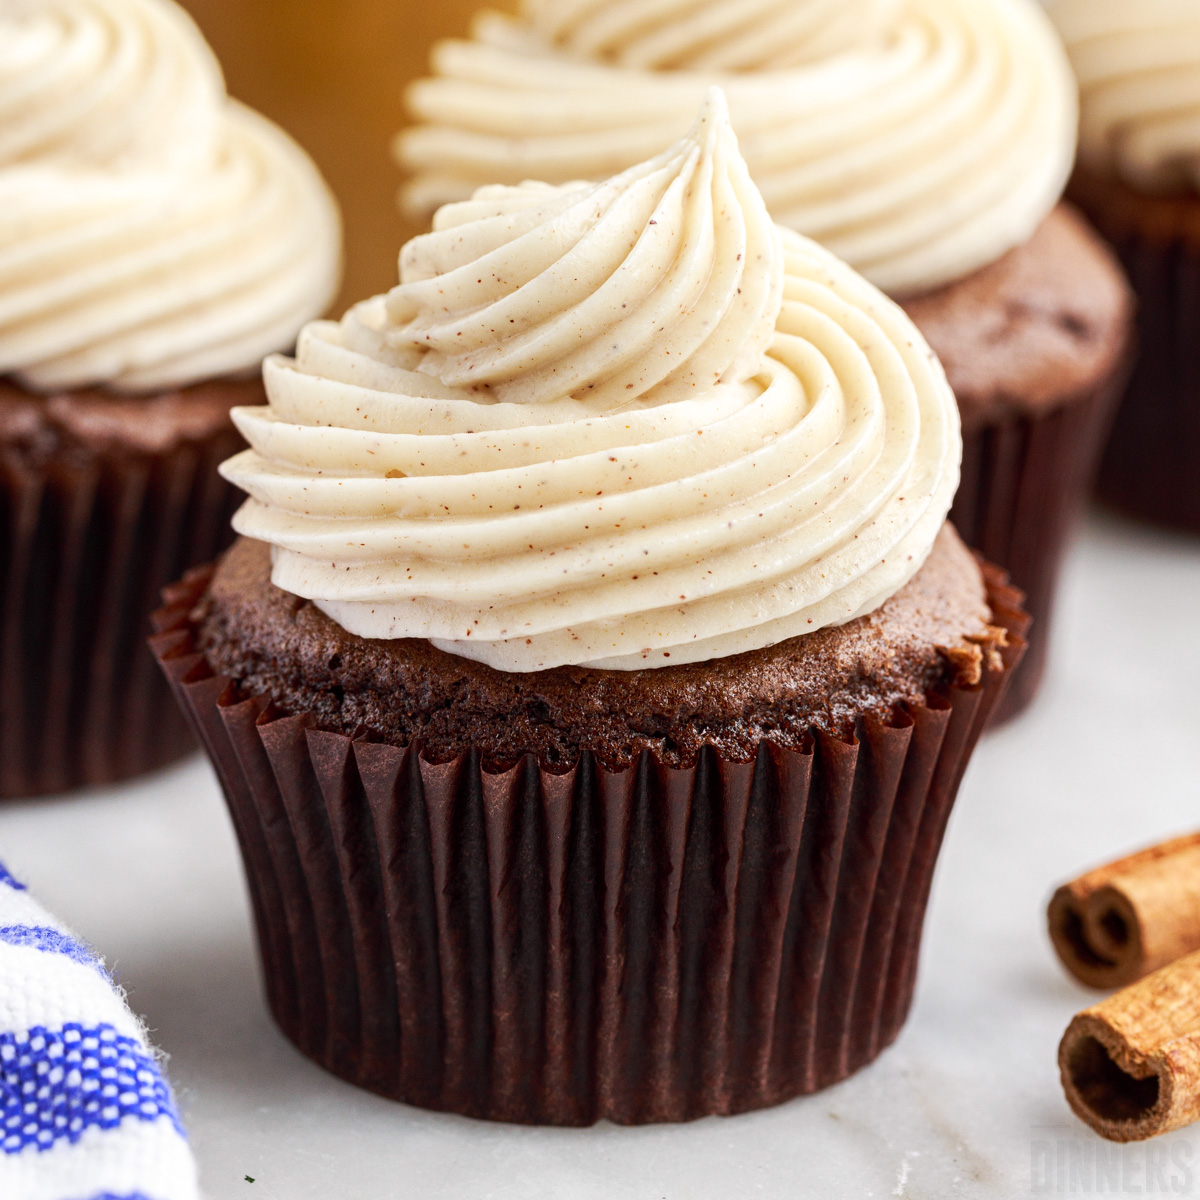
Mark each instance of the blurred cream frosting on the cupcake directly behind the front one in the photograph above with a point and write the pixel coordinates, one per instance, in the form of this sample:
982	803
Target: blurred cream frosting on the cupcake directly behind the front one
917	140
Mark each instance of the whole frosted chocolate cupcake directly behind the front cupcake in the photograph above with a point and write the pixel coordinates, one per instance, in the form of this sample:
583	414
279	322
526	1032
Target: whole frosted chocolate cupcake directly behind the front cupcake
925	142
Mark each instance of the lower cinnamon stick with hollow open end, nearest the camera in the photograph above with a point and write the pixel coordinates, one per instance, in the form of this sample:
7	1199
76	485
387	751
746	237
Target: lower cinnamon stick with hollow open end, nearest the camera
1131	1065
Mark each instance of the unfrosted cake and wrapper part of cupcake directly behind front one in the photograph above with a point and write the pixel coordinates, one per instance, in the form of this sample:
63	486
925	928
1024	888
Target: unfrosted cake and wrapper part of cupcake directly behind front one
1036	347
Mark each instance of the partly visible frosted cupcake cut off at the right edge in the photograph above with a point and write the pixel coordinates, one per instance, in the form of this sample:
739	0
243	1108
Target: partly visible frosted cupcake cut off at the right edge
1138	178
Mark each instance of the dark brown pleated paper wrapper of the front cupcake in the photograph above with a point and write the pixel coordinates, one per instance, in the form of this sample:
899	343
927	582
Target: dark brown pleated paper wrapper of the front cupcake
649	945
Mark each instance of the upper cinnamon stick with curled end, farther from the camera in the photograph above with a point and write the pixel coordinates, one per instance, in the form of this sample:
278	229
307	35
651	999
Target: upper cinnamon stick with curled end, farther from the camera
1124	921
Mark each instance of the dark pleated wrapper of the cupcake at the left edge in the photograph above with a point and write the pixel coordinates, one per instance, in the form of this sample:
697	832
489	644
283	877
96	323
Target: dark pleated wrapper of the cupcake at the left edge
88	541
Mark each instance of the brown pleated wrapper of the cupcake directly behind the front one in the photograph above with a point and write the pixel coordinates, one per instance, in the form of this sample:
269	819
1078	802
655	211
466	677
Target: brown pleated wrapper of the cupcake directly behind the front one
1025	483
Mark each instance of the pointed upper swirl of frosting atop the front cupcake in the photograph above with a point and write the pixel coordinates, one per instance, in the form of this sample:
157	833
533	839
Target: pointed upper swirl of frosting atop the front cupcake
656	285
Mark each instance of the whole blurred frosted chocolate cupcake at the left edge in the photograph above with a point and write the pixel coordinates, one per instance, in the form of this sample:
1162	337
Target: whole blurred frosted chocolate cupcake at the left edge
157	242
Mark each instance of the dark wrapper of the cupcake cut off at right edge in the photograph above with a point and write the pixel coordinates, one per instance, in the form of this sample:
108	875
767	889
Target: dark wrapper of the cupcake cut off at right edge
1150	465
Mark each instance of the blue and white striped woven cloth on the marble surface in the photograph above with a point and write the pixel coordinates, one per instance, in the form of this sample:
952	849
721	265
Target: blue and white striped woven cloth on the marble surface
87	1112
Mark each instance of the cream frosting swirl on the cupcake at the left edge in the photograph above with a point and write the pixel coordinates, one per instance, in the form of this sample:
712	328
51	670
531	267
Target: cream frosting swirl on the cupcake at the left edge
153	232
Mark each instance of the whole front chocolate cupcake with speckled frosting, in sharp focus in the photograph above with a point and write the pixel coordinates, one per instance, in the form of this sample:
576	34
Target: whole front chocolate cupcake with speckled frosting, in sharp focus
596	670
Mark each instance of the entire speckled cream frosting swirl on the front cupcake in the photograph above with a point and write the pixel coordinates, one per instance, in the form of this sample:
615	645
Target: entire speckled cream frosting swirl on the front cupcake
628	425
